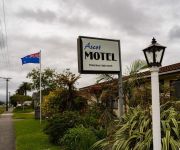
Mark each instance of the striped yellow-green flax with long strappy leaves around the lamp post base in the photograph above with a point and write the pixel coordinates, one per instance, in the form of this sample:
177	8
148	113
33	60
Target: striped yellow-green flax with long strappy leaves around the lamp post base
135	131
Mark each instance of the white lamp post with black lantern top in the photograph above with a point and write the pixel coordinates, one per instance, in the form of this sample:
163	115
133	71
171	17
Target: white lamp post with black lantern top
154	54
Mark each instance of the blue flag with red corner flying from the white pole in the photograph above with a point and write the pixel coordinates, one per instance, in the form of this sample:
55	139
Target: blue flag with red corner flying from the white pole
32	58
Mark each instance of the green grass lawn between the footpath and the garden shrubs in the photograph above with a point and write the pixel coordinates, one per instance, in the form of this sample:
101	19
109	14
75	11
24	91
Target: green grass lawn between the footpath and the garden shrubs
29	134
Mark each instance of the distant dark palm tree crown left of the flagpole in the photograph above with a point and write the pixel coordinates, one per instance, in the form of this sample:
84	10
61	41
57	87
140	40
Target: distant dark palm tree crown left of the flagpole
23	88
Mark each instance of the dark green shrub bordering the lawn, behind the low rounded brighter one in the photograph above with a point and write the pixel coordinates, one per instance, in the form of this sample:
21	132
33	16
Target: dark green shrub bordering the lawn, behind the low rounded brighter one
60	123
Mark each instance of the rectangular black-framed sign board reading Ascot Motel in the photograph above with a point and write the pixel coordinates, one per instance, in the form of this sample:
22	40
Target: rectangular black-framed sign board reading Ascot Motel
97	55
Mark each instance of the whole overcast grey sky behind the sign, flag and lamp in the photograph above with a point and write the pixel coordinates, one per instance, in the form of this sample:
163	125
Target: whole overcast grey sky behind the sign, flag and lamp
53	26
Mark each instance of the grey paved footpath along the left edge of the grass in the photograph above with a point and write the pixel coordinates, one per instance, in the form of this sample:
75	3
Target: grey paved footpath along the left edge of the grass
7	137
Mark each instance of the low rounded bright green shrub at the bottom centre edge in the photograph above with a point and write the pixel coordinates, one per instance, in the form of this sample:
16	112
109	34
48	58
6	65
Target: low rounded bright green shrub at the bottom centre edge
78	138
